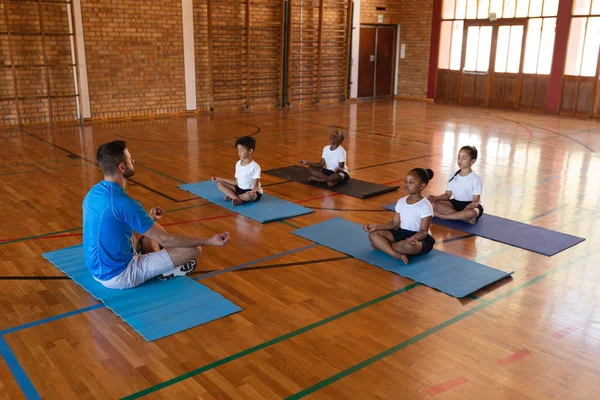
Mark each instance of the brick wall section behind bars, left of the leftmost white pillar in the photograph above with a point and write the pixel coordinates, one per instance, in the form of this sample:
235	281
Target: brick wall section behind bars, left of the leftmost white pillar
30	71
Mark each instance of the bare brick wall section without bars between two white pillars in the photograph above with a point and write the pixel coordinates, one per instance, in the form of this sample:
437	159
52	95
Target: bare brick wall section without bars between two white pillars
134	54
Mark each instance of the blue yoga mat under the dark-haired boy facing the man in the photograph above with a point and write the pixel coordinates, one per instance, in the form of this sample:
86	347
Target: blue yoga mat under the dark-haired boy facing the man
268	208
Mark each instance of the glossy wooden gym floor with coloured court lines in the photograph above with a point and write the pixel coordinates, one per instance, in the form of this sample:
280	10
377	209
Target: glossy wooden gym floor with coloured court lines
314	322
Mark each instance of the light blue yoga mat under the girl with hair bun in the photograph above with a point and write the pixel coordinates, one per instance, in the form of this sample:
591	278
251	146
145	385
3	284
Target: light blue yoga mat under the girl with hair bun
450	274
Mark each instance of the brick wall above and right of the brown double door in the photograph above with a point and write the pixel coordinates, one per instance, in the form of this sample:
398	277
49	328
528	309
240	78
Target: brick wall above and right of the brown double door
414	17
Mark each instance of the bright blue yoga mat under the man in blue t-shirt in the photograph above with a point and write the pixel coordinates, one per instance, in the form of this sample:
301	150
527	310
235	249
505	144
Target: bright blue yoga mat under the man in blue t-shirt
154	309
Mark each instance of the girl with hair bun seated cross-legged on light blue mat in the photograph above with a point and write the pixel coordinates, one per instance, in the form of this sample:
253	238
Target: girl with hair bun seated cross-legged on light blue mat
408	232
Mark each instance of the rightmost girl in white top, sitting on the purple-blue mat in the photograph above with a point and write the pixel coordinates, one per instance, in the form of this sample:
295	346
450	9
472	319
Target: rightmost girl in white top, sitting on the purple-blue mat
462	200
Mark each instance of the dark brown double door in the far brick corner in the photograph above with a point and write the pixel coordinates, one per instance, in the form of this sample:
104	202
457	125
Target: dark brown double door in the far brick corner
376	61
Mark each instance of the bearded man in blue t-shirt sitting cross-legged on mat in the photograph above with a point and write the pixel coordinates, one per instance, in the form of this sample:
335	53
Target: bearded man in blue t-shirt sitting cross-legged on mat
117	257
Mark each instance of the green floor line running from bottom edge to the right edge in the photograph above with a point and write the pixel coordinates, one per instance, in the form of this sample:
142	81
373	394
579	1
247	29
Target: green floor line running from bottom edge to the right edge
431	331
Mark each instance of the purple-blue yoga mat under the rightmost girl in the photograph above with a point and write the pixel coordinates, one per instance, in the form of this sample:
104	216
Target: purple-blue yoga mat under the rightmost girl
517	234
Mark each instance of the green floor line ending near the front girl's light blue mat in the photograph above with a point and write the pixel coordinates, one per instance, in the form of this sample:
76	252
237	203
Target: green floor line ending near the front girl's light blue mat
263	345
